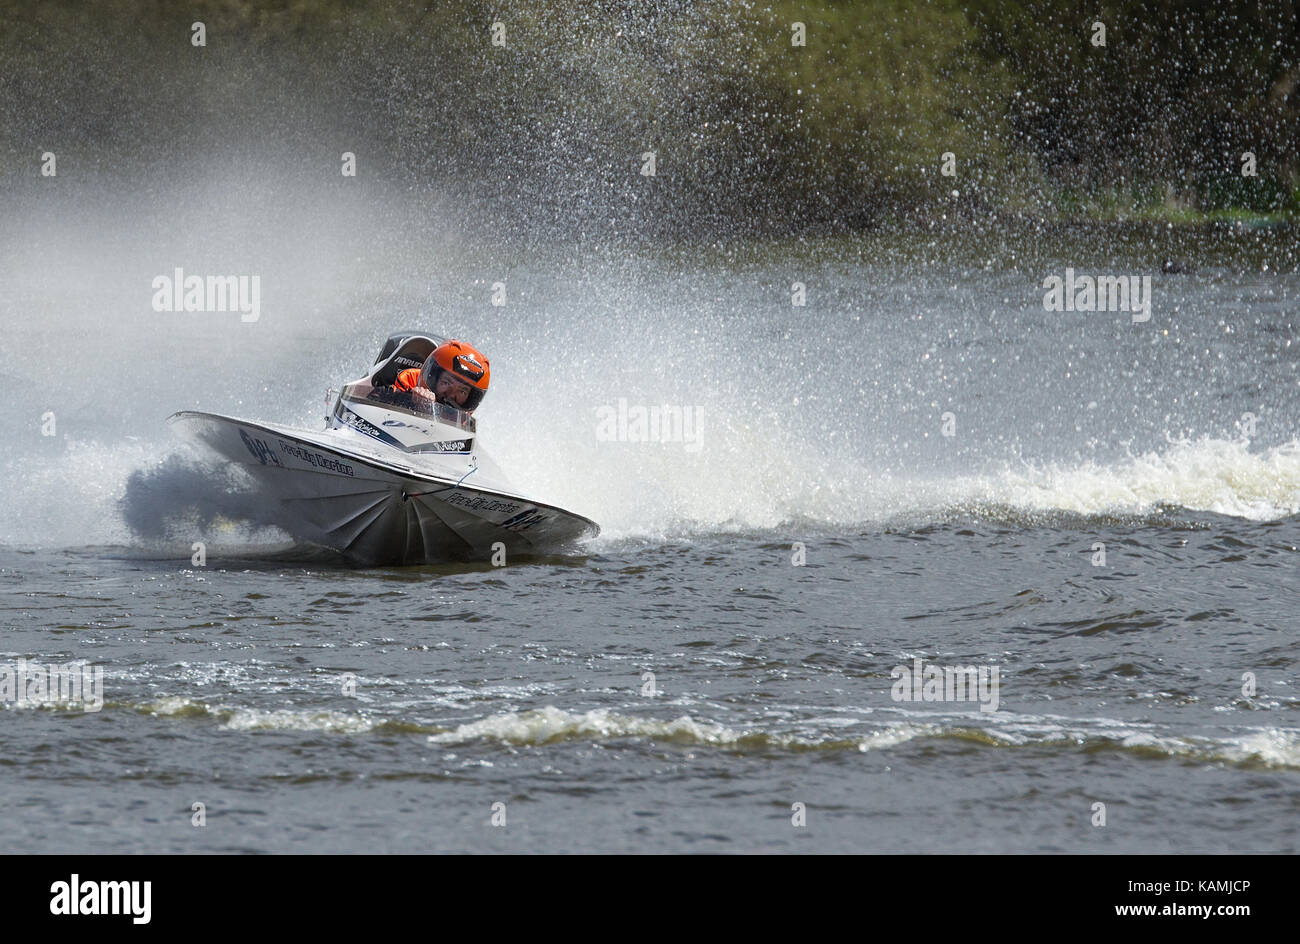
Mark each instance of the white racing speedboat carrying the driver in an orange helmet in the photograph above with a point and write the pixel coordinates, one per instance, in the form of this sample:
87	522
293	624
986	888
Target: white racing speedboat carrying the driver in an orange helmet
391	483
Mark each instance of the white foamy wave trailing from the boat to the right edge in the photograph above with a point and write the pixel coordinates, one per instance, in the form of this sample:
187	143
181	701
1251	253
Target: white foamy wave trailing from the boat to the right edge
1207	475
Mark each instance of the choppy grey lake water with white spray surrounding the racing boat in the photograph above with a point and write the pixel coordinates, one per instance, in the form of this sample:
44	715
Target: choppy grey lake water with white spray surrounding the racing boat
1159	682
